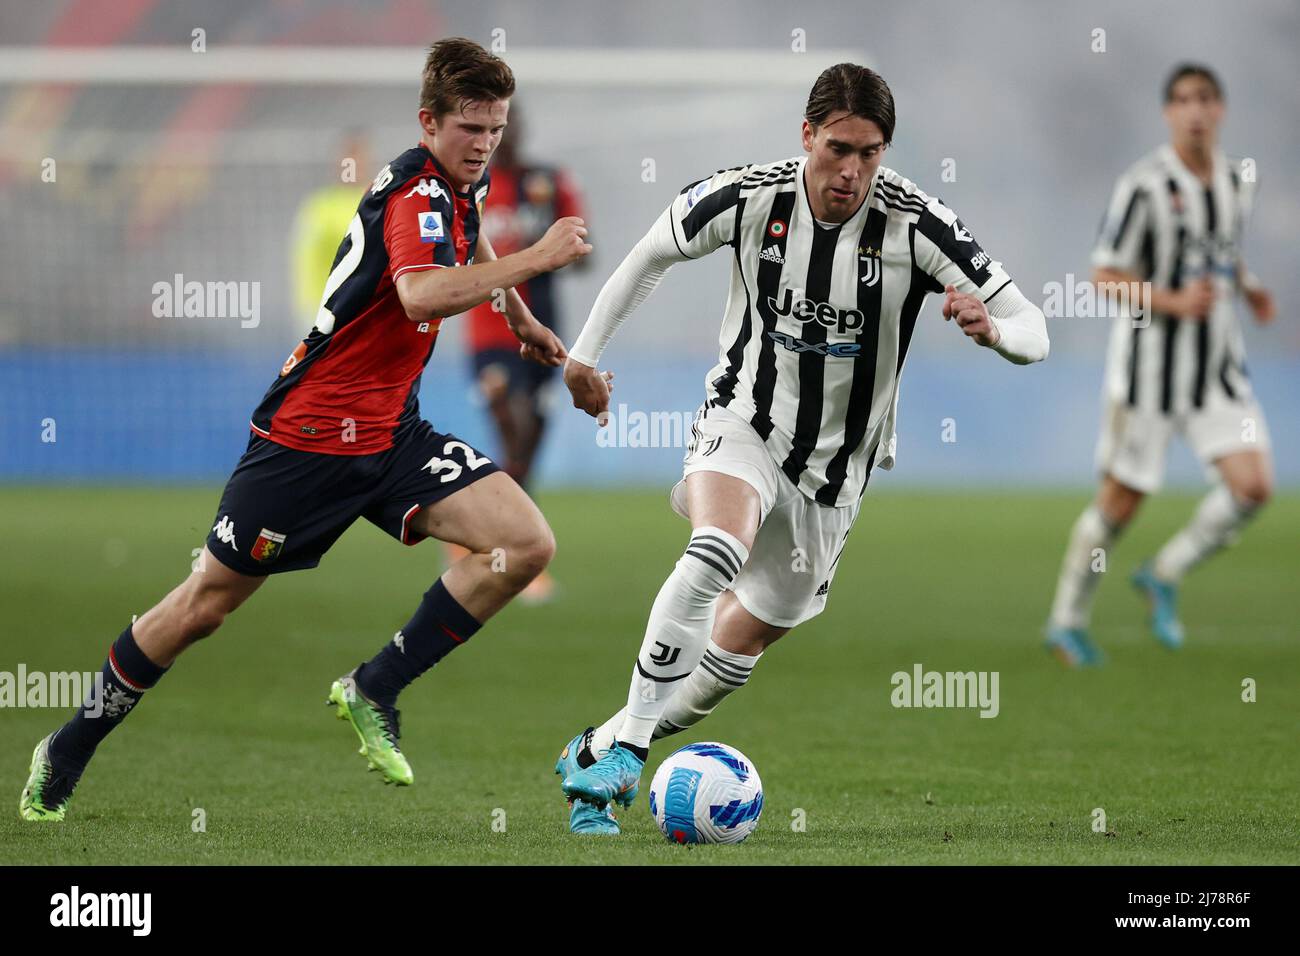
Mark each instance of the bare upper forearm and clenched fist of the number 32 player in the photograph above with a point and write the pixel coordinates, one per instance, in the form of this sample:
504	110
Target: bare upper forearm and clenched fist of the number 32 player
436	293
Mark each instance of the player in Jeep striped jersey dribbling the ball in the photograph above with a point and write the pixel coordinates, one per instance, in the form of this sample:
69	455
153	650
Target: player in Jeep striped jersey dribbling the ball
833	256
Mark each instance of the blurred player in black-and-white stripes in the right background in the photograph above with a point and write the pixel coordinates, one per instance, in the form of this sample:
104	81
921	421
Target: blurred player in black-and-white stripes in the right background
1176	365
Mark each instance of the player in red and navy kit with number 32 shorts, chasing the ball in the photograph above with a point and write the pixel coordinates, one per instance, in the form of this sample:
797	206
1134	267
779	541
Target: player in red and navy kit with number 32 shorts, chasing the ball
339	436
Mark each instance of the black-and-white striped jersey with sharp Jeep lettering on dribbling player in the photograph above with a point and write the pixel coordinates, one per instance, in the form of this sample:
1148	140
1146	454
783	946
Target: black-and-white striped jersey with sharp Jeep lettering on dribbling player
818	318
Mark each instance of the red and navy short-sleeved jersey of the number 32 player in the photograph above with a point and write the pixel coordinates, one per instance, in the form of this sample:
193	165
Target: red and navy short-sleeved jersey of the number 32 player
352	387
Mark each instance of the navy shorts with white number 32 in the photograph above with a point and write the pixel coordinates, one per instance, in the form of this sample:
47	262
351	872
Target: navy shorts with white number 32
283	509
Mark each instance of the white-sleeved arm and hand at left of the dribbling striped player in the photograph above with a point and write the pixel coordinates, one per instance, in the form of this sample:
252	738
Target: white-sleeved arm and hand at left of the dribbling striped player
631	284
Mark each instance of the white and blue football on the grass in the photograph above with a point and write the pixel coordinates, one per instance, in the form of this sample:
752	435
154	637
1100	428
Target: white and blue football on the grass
707	793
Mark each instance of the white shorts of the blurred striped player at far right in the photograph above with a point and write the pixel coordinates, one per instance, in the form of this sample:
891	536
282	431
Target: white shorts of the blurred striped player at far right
1134	443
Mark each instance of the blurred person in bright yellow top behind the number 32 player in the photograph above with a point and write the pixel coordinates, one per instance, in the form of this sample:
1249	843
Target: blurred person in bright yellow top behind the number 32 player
323	217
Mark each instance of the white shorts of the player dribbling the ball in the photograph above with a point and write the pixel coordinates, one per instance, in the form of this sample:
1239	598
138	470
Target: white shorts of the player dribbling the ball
792	564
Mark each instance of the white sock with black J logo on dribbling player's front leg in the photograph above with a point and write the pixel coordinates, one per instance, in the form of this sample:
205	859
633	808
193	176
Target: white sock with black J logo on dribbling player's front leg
681	624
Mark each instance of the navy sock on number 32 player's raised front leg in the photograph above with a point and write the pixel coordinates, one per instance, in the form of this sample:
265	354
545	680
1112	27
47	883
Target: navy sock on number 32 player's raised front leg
440	625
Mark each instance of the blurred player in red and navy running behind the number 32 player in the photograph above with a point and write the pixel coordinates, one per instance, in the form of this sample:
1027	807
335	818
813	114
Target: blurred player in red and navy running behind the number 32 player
526	200
